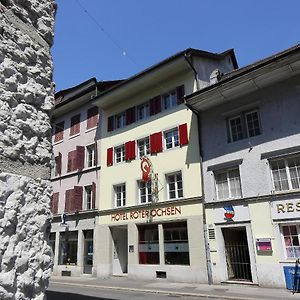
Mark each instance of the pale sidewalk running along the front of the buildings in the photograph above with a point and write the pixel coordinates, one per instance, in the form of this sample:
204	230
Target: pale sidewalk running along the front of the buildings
224	291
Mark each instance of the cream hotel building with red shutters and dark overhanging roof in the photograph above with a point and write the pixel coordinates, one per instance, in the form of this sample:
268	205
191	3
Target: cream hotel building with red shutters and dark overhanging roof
153	229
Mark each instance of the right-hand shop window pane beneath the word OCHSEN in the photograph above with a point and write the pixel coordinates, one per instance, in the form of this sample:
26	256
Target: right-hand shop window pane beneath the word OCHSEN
176	245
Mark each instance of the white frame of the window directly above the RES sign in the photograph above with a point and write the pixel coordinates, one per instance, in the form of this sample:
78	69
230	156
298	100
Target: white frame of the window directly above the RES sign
285	160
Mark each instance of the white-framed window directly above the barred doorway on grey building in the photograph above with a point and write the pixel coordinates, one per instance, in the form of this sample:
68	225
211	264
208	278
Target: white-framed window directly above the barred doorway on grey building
228	184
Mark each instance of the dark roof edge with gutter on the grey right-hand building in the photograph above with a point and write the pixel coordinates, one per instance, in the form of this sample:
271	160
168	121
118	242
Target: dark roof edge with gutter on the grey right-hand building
248	70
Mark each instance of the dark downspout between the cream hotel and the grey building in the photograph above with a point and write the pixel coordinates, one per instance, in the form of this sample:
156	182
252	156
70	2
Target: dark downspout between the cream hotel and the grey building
206	243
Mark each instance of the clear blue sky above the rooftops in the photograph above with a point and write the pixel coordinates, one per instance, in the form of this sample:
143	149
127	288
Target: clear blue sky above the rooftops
92	44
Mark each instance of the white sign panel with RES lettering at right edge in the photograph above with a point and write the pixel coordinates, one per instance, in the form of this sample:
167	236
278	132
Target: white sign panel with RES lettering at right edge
286	209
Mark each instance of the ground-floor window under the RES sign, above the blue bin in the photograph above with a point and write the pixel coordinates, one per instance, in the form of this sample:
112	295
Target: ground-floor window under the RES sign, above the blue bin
291	240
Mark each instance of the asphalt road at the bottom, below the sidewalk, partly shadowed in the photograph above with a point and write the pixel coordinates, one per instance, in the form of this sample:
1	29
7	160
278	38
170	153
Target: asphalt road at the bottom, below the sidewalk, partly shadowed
63	292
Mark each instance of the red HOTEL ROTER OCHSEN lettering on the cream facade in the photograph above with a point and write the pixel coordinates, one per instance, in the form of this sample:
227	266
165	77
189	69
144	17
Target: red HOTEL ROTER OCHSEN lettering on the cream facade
147	213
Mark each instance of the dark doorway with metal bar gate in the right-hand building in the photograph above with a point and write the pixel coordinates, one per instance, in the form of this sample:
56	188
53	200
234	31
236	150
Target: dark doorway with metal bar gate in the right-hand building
237	254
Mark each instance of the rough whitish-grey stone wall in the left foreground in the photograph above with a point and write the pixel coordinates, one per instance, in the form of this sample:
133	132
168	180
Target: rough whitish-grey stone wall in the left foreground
26	100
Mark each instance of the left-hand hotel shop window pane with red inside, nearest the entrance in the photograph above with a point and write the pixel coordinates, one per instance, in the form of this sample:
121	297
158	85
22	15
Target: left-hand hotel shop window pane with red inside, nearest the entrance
148	244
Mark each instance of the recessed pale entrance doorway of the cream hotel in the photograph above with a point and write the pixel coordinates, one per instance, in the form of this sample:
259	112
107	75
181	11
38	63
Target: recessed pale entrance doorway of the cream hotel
120	252
